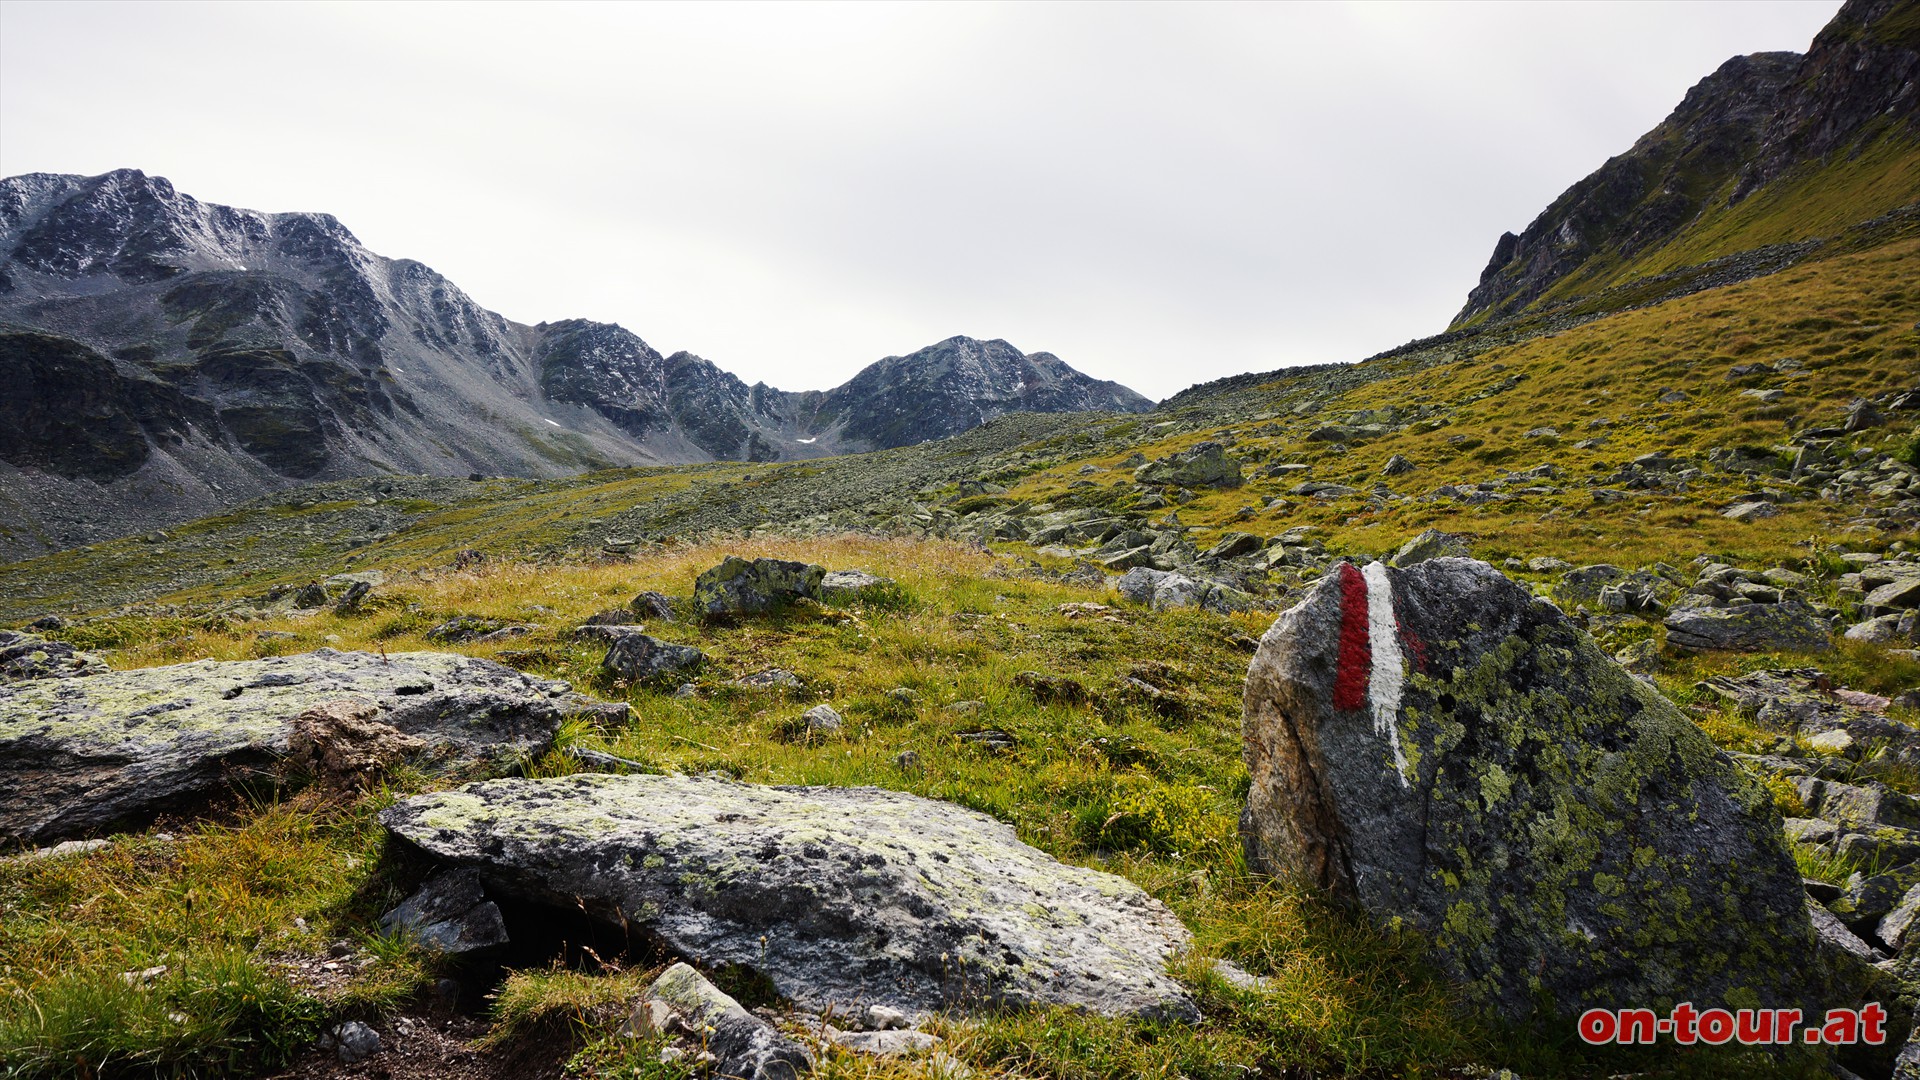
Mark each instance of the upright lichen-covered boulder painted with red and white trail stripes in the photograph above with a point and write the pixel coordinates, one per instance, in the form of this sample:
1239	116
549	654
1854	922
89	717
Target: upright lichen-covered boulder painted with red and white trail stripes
1460	758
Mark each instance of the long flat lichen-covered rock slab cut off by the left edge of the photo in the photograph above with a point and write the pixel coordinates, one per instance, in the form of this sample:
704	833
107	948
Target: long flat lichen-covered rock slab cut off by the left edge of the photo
82	756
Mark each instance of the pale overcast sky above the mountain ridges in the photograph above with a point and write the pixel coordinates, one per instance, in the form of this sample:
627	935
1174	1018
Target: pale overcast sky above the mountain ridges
1159	195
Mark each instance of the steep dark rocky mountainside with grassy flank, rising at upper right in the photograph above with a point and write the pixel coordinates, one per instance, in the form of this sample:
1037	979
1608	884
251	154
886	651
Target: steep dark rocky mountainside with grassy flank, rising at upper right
1771	149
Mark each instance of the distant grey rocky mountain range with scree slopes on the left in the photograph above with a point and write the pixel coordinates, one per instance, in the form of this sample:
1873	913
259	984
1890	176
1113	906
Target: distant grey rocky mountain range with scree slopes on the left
162	358
